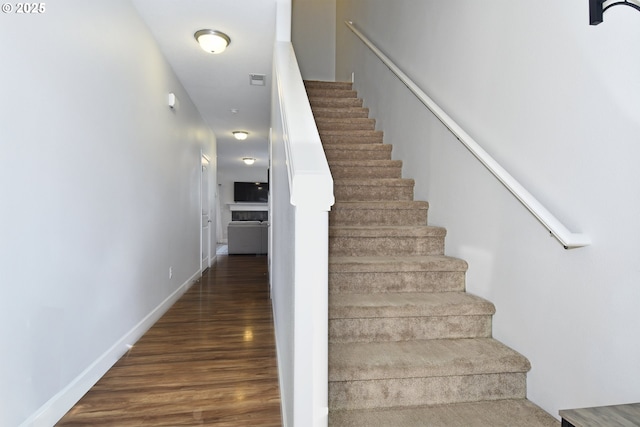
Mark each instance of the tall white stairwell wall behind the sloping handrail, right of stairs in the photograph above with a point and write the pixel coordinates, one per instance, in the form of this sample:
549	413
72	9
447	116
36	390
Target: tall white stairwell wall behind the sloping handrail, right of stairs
556	101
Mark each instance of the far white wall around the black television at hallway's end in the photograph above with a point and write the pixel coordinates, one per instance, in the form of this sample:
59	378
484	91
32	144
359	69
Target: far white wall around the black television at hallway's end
226	178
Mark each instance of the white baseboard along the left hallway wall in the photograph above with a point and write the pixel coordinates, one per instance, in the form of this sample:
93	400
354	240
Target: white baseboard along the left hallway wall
56	407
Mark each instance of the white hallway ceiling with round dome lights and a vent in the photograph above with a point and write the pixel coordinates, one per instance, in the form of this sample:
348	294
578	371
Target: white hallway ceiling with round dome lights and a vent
218	84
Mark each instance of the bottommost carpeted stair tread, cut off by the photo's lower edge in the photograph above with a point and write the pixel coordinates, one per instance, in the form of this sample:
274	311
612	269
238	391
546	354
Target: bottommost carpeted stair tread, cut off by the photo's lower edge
499	413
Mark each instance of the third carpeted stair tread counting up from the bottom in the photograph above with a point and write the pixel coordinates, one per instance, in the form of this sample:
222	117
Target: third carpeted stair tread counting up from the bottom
343	306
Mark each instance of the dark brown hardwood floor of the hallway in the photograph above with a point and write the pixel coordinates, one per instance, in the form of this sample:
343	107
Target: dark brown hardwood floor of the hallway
209	361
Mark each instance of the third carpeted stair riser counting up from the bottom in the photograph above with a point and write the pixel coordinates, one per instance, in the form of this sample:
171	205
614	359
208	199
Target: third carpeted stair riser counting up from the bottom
408	281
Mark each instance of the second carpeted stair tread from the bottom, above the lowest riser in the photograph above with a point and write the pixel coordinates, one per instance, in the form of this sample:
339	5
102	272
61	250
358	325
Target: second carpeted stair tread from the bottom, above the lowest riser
418	359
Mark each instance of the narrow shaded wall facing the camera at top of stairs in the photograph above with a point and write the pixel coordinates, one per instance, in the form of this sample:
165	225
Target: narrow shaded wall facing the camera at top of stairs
313	34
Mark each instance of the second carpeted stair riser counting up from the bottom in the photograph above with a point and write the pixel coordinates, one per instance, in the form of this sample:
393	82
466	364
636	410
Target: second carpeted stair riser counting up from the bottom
409	328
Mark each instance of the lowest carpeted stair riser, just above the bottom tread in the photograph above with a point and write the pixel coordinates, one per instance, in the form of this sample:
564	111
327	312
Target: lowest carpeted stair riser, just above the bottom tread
425	391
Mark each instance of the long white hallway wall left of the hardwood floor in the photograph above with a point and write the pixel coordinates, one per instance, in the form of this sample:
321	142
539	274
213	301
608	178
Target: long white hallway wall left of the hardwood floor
99	196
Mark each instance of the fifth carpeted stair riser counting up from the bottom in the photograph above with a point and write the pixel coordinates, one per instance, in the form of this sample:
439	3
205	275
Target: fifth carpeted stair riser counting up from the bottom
378	217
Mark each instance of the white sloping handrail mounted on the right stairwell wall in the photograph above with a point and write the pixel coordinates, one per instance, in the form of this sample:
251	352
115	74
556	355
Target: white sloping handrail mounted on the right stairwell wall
556	228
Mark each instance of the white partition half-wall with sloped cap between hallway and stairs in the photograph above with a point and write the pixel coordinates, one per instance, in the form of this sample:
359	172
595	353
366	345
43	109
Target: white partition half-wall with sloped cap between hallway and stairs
301	195
